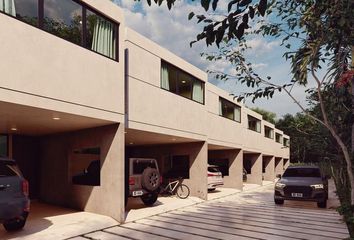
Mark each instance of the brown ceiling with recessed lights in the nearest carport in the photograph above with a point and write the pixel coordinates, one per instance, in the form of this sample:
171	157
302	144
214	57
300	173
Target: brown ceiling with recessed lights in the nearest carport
20	119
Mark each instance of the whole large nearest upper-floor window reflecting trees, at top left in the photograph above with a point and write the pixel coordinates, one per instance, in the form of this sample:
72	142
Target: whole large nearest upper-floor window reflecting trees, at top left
70	20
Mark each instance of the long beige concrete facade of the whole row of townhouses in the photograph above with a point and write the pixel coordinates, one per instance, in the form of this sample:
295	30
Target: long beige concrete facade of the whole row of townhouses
57	98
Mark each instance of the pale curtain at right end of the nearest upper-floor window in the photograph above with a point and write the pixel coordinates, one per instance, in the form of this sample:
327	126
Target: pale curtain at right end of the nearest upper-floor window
104	39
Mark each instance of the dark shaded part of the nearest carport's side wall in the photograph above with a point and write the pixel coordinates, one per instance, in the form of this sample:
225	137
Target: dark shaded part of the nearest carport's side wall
74	157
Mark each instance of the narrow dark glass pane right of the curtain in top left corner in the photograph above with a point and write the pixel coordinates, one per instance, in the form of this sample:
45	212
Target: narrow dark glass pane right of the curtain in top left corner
27	11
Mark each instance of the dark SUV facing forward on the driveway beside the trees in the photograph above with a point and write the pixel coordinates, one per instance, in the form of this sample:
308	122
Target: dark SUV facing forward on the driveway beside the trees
304	183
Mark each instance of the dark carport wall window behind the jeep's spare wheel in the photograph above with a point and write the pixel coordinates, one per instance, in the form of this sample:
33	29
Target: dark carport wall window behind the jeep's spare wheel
179	167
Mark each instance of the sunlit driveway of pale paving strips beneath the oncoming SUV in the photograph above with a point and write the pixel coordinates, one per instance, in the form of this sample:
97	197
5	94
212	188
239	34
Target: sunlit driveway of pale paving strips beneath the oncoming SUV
246	215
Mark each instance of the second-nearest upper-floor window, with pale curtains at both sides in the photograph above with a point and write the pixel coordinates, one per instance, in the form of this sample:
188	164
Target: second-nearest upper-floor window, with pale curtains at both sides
181	83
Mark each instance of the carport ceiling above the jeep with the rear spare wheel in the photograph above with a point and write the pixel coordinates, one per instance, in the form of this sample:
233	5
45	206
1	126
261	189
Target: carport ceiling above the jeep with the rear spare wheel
137	137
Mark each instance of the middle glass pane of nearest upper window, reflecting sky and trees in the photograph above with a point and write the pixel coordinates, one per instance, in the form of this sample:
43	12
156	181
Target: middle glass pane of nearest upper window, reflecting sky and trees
63	19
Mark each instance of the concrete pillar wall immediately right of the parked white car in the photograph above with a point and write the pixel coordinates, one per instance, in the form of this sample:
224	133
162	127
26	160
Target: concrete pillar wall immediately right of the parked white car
235	158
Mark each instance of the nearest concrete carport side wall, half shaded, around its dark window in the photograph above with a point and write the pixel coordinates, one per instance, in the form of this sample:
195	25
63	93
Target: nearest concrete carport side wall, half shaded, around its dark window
57	159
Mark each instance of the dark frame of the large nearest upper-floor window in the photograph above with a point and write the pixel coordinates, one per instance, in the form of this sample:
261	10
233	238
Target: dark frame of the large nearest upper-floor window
40	5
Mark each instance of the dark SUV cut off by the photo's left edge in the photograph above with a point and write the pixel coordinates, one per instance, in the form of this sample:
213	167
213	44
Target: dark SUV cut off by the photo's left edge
14	201
